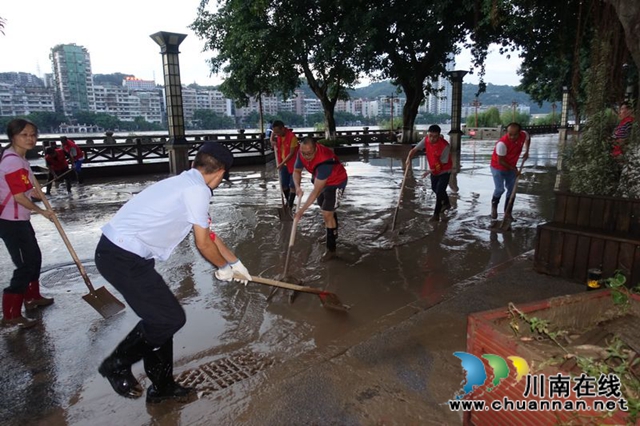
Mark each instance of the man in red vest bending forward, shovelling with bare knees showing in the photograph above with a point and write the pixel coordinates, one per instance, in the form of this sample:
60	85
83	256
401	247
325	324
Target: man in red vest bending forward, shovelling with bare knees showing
329	179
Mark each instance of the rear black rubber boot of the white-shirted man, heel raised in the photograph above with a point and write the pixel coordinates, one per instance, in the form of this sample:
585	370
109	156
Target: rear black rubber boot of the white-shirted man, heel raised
117	367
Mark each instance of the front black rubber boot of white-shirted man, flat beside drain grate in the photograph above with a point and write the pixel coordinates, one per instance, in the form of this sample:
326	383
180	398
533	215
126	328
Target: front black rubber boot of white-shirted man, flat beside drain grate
158	365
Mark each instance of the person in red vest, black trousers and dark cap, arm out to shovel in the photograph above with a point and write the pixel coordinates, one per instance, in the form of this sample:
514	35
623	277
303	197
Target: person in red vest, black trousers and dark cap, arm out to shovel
438	152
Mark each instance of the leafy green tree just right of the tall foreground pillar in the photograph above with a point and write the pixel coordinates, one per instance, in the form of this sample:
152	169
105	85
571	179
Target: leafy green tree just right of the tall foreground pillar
320	39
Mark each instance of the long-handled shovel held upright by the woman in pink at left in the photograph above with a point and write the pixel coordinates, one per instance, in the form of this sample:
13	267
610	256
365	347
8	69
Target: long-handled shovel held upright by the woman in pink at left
101	300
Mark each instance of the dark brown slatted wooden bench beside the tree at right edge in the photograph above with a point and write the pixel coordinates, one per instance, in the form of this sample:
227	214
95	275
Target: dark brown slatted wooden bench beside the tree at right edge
590	231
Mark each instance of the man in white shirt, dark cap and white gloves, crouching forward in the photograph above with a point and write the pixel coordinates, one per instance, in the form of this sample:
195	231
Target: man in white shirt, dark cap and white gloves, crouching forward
146	228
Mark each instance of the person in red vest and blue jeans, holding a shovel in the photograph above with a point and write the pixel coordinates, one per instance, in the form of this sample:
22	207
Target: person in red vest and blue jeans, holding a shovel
504	166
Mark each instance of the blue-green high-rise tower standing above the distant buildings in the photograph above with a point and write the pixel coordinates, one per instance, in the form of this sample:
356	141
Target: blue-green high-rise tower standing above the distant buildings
73	79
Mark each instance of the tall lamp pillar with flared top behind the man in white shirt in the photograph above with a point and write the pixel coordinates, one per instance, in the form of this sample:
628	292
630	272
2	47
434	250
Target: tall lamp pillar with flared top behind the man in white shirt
177	148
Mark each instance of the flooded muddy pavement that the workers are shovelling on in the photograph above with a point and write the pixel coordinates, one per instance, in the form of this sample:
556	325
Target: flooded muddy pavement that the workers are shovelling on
234	340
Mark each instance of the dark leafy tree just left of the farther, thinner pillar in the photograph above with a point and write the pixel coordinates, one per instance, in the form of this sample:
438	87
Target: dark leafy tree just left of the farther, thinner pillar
412	41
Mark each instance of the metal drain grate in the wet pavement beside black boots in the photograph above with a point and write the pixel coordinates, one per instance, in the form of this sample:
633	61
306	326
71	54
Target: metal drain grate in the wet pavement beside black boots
224	372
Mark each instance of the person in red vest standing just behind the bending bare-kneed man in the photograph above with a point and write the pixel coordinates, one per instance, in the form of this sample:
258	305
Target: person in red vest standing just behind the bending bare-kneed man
286	147
